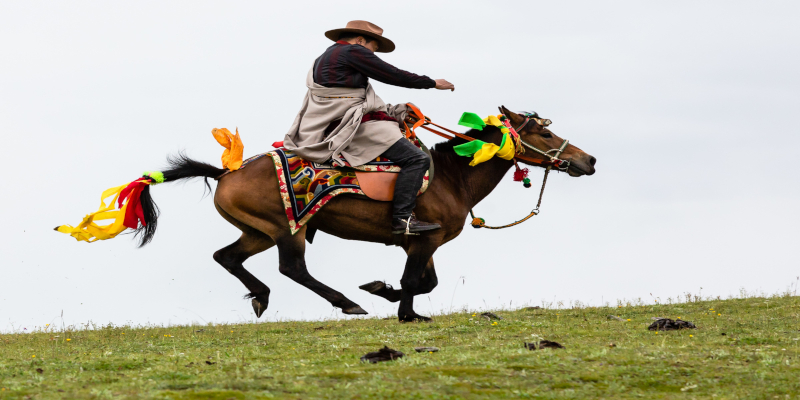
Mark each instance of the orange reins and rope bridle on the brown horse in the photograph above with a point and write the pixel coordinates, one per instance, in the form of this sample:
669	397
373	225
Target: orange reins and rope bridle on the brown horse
552	155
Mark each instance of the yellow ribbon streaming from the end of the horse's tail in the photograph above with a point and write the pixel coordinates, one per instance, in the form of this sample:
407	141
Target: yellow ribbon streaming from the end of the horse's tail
89	231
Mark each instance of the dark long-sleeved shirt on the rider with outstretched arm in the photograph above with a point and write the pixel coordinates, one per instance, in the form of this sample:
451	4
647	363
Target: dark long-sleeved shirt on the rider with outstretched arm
351	65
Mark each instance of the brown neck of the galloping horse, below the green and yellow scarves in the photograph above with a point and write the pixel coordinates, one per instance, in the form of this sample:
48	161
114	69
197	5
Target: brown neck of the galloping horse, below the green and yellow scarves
473	184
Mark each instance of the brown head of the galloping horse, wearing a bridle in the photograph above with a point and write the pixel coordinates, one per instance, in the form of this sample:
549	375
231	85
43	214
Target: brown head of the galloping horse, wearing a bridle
534	133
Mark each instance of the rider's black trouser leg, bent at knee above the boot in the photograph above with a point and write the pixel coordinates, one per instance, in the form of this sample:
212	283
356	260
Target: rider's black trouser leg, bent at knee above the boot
414	163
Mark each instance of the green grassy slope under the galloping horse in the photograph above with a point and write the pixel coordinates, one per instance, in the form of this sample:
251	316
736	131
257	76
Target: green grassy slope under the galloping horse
751	350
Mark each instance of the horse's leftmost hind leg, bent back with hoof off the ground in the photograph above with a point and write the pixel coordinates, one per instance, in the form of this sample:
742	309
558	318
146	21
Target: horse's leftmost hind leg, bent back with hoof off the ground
232	257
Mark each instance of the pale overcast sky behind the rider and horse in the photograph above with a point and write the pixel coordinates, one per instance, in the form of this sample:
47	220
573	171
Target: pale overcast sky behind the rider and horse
691	110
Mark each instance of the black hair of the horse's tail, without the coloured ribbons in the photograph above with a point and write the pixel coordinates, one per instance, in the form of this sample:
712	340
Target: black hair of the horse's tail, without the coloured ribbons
180	167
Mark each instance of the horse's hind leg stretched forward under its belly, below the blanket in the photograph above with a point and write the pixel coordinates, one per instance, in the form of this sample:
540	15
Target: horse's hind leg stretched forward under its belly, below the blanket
291	253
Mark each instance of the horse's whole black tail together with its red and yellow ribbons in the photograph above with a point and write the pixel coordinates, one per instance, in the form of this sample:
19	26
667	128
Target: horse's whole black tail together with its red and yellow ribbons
132	207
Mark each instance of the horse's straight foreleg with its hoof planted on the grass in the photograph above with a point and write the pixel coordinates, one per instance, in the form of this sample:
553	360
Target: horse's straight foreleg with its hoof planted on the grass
412	282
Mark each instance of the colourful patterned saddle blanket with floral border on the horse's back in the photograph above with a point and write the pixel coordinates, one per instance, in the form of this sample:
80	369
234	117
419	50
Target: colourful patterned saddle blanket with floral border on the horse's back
306	186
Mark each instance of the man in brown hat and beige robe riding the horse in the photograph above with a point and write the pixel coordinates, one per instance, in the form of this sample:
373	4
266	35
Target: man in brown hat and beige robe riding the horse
342	119
